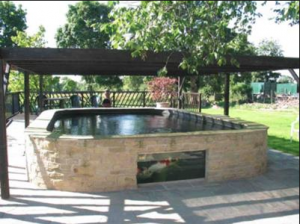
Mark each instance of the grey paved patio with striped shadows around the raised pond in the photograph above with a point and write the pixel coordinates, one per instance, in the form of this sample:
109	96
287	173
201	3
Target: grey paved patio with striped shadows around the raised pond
269	199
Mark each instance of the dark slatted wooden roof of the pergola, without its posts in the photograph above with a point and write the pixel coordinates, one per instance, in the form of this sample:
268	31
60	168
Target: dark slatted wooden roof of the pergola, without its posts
117	62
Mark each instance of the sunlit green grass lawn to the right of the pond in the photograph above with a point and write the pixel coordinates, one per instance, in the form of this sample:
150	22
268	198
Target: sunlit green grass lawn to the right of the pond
279	123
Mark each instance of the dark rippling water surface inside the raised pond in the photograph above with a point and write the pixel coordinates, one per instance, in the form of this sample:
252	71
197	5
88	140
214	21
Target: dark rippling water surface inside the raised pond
109	125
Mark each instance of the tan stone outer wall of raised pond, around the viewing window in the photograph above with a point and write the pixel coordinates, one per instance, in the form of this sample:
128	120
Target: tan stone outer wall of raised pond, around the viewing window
95	165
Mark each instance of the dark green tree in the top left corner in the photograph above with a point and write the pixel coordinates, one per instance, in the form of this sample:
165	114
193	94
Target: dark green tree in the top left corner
12	20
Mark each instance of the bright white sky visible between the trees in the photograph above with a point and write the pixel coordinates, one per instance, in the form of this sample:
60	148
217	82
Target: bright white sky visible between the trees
52	15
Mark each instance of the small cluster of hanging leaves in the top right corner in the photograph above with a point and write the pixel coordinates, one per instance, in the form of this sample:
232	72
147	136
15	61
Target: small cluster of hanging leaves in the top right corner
287	11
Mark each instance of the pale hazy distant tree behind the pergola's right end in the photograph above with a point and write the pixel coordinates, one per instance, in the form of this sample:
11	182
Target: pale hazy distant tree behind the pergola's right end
268	48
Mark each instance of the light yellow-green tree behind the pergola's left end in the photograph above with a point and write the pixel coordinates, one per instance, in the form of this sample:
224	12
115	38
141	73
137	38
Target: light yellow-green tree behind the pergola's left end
17	79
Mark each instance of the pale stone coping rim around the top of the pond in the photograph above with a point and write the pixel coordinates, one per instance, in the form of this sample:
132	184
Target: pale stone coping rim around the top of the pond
41	127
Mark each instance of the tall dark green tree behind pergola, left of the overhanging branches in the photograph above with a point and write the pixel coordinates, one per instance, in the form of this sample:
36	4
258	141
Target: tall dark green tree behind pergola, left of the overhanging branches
82	31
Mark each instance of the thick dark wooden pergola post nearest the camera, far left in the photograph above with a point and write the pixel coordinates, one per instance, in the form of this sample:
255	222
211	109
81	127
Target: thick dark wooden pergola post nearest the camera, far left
5	194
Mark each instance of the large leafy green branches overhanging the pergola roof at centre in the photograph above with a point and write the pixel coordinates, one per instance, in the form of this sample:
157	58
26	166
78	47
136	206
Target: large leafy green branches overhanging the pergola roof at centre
198	29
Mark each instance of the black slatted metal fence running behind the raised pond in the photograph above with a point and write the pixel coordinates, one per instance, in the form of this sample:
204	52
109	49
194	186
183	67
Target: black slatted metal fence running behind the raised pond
15	101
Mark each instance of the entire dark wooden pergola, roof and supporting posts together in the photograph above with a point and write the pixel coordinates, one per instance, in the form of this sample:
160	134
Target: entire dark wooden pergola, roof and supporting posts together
46	61
